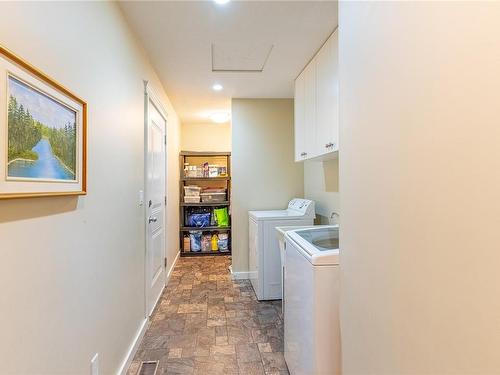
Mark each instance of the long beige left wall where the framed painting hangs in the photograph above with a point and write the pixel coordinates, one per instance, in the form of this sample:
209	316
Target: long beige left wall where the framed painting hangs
72	269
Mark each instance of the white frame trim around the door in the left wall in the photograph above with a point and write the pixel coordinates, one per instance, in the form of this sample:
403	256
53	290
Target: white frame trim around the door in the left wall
150	96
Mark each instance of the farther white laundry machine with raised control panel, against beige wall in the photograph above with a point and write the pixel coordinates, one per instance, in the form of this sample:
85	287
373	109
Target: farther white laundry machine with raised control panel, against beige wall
264	254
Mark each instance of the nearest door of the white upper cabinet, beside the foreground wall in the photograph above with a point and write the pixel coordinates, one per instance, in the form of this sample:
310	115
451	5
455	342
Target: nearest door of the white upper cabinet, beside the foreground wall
327	97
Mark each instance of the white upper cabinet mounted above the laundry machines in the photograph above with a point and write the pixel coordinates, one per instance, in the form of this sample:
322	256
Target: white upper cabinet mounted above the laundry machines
317	104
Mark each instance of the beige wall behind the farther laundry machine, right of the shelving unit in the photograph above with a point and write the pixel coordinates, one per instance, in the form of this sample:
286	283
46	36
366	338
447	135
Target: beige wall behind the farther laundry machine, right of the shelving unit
265	175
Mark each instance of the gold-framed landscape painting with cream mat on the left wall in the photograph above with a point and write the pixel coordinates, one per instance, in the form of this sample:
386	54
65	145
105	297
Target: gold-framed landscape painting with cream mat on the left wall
44	129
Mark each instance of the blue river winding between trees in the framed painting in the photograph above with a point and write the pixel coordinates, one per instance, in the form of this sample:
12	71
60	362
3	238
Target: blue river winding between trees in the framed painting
46	167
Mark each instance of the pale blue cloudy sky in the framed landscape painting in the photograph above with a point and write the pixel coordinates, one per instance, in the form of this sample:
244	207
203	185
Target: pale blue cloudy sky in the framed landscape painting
43	108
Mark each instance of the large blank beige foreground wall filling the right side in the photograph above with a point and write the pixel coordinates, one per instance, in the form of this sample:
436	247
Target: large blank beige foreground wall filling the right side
420	183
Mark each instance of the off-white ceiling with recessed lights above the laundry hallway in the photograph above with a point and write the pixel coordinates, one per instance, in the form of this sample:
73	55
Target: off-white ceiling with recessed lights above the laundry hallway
255	49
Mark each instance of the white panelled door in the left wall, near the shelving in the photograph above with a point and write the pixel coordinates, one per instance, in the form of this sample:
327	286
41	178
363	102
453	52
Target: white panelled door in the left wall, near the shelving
155	204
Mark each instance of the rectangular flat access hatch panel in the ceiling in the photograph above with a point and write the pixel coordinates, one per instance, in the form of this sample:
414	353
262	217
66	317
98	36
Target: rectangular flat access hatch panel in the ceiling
239	57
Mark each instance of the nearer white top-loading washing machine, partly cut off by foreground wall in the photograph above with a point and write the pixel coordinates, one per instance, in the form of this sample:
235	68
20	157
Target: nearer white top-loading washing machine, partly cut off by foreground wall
312	288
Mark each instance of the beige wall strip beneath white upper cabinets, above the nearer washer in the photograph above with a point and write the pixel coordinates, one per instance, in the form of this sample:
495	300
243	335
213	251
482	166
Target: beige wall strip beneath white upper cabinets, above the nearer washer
321	184
